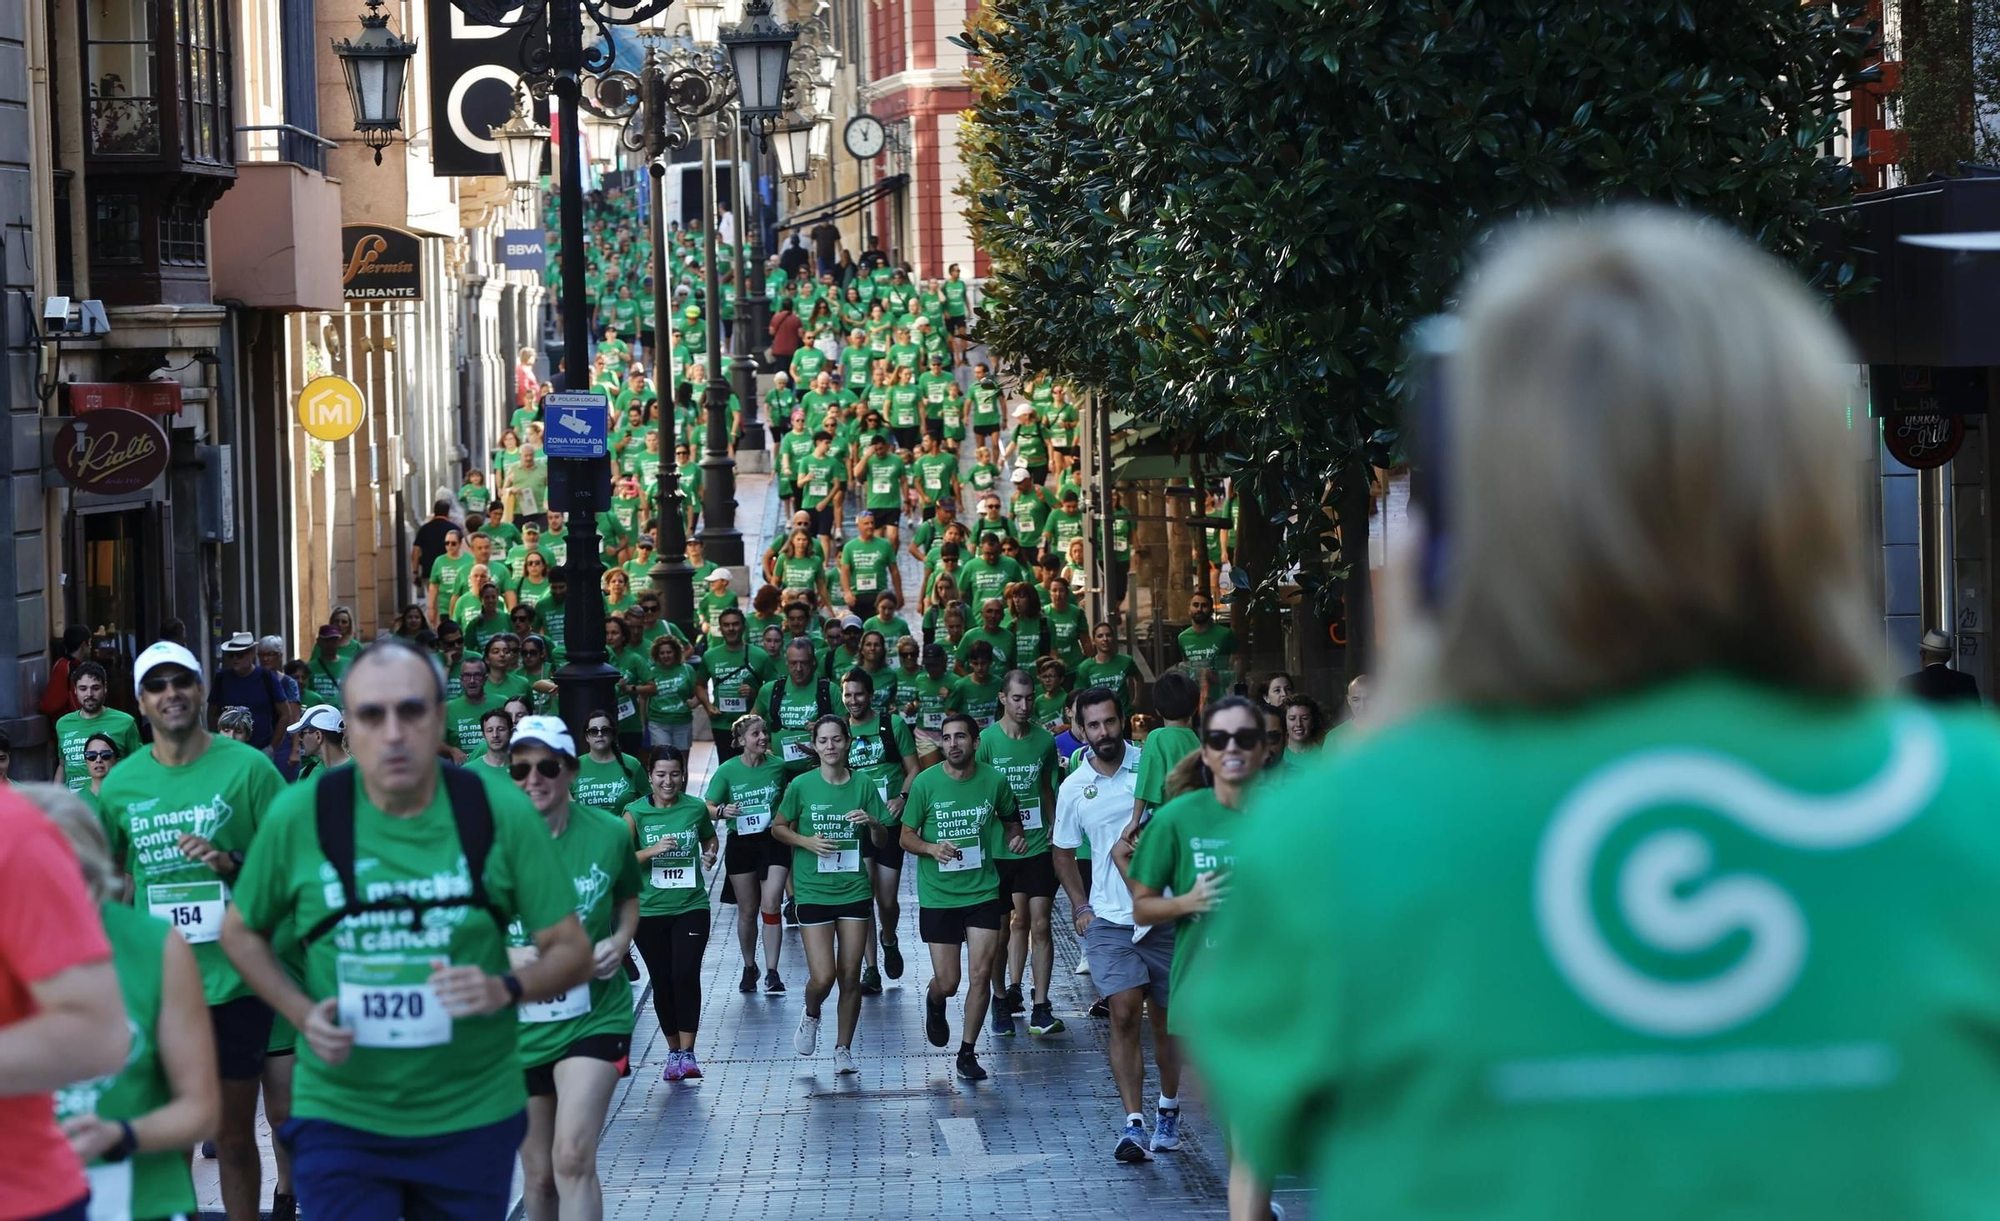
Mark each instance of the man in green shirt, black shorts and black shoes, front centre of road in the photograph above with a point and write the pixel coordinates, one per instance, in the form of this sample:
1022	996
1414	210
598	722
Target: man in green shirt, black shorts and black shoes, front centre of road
955	822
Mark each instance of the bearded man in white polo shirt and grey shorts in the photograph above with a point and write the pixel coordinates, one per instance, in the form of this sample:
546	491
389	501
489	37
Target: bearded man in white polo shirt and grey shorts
1097	802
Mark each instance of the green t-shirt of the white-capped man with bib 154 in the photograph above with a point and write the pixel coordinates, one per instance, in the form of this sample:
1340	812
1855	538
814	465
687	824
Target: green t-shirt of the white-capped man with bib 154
225	798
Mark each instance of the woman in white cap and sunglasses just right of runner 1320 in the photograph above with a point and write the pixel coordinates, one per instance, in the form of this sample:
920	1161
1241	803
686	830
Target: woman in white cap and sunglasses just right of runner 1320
573	1042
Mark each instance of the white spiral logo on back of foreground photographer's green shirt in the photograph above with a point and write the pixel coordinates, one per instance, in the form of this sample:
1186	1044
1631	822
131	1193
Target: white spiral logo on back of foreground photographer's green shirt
1673	904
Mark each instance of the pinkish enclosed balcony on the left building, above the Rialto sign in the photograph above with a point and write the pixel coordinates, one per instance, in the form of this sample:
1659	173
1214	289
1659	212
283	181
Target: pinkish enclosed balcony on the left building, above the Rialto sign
283	223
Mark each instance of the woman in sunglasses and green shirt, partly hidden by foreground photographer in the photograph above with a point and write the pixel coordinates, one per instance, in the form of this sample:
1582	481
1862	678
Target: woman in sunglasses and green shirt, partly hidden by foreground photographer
1185	848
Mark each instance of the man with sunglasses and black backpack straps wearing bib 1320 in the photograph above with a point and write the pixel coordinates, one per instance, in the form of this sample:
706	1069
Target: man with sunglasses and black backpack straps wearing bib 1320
403	878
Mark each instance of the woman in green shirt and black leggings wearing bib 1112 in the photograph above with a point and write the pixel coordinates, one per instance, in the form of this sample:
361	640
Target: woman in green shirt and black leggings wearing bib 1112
677	848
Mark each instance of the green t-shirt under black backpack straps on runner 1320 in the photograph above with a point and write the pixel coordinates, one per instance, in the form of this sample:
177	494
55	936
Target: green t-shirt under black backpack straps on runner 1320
415	1072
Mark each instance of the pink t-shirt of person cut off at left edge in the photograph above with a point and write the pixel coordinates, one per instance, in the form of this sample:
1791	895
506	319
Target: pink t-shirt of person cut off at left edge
47	926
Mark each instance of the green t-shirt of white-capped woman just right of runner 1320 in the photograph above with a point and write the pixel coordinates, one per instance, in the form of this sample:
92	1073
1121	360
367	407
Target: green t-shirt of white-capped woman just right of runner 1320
595	852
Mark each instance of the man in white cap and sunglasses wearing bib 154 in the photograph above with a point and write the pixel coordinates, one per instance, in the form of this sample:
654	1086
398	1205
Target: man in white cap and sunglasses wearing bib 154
181	818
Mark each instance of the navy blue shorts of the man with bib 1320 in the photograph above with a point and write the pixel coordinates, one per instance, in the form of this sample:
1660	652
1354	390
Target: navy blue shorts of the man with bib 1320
343	1174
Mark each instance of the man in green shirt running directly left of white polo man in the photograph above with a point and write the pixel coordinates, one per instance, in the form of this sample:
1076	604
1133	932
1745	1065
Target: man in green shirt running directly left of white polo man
1025	754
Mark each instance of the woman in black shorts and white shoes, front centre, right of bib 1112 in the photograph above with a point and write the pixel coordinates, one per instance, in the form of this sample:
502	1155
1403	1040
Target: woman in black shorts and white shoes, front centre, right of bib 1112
823	820
